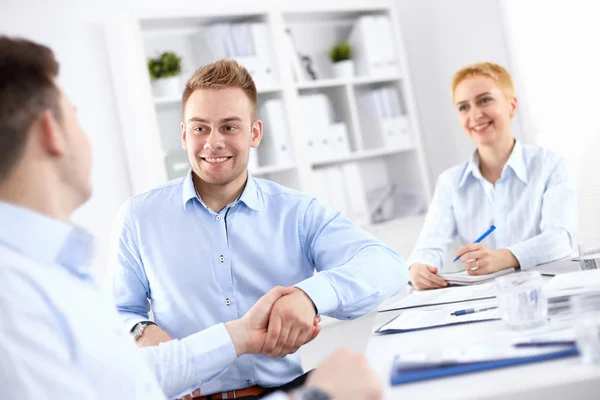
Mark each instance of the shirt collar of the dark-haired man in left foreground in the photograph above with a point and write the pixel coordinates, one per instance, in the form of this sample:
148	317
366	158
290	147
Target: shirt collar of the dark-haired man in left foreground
46	240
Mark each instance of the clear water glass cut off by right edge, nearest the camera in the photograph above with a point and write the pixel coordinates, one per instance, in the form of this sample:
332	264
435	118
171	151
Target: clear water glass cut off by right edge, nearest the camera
586	310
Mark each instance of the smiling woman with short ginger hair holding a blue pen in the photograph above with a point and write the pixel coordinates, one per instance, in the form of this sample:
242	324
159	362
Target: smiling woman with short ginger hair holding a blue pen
523	190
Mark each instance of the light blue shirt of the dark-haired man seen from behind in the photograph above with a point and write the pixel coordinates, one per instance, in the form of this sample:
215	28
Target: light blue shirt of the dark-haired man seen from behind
60	338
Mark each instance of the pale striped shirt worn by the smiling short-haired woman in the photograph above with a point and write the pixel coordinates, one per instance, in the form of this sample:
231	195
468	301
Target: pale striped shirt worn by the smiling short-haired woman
533	206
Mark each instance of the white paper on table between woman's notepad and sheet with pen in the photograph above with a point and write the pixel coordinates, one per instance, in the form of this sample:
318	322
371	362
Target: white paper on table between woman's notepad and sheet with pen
444	296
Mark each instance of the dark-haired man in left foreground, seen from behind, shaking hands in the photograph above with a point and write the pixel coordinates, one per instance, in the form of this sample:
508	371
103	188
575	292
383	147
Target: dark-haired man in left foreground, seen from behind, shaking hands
60	338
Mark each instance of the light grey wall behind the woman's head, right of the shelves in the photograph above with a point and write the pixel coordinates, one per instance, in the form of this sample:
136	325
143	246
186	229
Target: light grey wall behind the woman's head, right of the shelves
441	37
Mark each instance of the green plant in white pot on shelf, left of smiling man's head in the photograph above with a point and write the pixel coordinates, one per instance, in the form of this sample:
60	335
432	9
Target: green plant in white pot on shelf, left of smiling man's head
164	73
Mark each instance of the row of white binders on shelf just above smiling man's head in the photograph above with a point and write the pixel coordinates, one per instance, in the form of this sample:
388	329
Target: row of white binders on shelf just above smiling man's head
248	43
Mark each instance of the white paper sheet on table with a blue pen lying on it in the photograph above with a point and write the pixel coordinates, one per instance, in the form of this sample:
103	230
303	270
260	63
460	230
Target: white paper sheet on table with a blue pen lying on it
420	319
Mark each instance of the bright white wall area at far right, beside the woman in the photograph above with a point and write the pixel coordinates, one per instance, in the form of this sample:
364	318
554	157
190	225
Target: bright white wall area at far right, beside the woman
560	64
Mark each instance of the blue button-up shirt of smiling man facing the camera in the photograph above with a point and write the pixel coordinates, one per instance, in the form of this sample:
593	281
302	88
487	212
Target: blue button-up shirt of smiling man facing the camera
197	267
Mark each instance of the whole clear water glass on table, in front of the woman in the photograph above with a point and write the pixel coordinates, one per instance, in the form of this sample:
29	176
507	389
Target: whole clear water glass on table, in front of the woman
521	301
